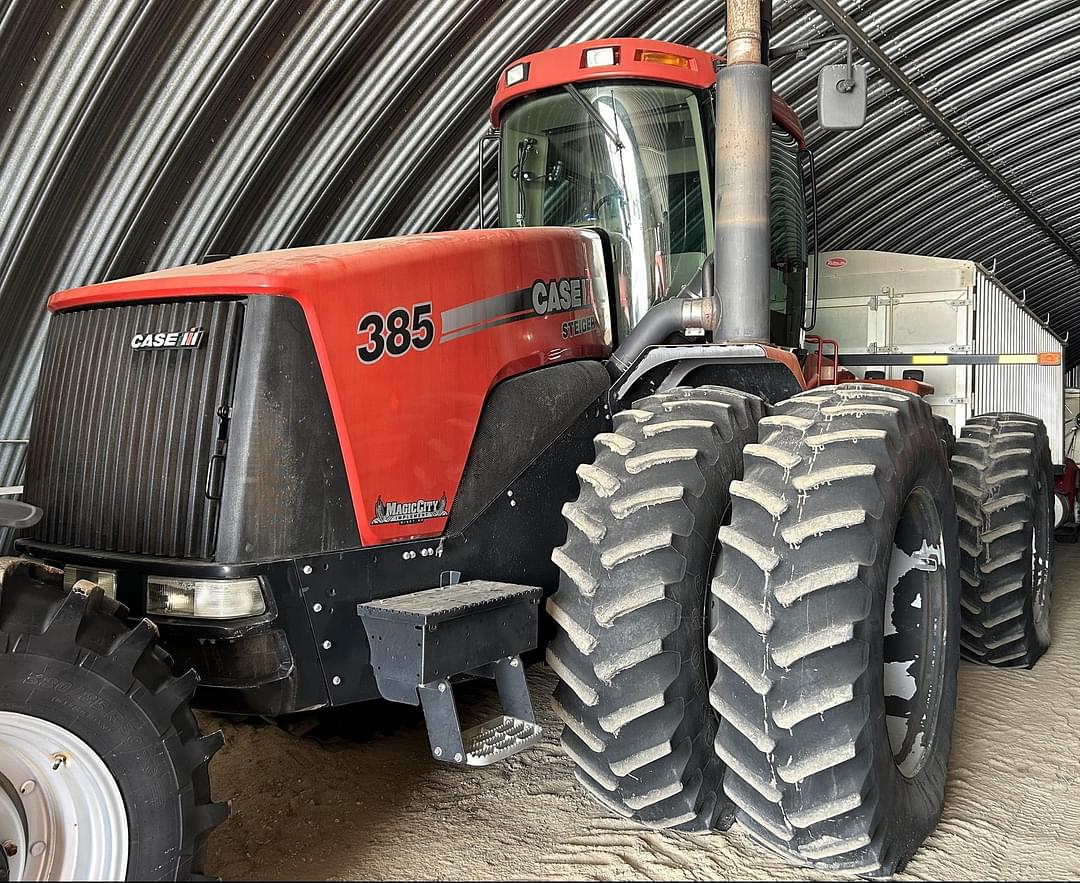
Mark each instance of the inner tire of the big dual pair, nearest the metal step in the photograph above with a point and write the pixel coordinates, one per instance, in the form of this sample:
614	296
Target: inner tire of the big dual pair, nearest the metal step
630	645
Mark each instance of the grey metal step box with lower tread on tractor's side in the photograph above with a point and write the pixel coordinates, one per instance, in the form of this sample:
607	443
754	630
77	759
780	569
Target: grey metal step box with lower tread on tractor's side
477	629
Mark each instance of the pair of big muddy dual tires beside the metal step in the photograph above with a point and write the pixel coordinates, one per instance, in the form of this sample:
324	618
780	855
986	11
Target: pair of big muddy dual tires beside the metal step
832	606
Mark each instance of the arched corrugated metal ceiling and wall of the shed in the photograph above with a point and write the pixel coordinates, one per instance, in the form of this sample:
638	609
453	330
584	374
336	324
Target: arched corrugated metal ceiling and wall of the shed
139	134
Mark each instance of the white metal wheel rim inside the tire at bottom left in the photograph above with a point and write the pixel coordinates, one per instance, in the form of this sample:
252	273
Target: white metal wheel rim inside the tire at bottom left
62	814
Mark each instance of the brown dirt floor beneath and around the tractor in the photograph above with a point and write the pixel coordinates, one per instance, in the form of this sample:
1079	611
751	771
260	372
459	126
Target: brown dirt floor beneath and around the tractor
385	810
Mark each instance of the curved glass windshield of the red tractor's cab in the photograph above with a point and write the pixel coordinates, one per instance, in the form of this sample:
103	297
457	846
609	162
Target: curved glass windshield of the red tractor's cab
629	158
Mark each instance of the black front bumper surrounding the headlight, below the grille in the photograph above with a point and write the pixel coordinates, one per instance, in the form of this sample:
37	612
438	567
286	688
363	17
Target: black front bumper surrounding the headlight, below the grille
260	665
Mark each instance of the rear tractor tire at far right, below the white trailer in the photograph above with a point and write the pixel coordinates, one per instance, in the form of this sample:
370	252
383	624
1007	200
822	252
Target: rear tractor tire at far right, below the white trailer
1005	492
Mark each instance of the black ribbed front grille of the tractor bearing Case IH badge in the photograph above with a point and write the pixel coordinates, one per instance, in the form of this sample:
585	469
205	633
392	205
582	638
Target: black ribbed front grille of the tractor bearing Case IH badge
124	439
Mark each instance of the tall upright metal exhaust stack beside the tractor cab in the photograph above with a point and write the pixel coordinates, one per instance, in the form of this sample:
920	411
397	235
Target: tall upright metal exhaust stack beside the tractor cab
744	130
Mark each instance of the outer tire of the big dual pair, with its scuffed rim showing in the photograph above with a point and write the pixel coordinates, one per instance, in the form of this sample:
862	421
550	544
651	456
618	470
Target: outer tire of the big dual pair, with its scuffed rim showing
836	631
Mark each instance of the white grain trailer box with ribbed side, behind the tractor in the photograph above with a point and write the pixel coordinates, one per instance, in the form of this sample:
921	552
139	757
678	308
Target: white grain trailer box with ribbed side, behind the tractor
977	344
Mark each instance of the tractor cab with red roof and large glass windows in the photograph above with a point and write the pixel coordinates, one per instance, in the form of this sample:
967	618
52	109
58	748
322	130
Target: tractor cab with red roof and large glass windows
619	135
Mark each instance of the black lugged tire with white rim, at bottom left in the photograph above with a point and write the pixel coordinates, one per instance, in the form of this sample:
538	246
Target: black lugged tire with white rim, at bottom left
103	770
